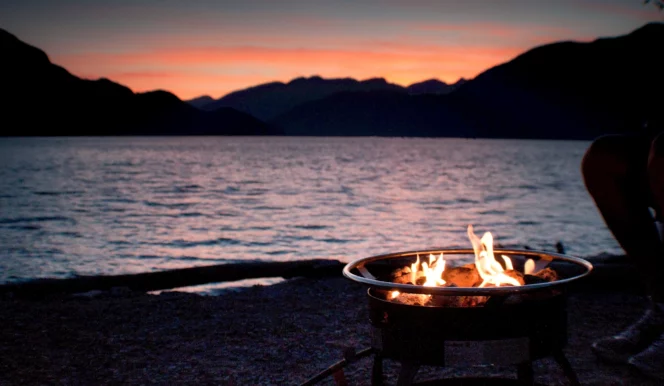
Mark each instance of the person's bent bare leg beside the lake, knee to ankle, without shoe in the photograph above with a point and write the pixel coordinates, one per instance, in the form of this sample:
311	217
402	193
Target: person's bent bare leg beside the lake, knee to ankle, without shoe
614	171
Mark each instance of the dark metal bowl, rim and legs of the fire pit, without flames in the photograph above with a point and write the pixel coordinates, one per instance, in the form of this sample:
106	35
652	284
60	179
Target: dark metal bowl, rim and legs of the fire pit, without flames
515	325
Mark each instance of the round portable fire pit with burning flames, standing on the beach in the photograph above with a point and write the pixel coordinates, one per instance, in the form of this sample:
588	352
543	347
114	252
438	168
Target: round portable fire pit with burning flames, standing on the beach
428	308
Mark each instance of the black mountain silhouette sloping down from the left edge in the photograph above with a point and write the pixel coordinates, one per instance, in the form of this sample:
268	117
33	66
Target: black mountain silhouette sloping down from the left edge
73	106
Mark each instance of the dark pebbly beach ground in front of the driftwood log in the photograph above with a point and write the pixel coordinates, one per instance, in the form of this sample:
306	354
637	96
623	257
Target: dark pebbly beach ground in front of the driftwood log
275	335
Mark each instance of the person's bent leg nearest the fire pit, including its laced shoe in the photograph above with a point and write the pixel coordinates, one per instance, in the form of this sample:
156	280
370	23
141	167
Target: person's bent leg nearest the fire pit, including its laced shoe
615	171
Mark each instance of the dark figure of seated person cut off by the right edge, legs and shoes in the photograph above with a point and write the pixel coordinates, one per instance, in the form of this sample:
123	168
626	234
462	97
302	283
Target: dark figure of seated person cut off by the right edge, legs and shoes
624	174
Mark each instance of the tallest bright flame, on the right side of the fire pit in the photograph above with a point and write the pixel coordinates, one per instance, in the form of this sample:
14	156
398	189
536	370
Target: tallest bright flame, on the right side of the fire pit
488	267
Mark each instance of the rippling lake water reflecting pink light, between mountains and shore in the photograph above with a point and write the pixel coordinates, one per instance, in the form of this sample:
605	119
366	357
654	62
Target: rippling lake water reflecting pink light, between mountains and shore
71	206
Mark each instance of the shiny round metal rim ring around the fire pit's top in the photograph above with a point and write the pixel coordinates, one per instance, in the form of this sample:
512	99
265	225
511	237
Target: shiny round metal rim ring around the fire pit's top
464	291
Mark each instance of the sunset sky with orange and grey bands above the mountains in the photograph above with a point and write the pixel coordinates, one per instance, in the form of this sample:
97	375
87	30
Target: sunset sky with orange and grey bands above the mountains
213	47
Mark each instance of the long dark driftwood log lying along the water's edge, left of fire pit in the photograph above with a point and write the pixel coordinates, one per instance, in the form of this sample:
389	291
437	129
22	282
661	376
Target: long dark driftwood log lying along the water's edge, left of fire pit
153	281
